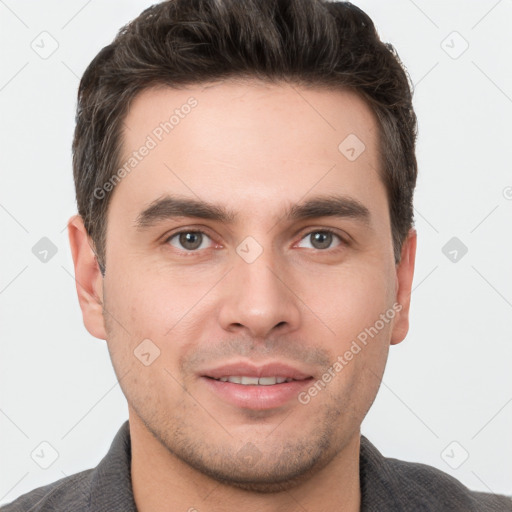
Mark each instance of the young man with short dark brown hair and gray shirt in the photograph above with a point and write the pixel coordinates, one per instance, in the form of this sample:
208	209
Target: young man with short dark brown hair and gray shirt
244	175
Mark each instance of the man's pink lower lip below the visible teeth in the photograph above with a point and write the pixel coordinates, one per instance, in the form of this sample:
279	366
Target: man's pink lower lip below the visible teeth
257	397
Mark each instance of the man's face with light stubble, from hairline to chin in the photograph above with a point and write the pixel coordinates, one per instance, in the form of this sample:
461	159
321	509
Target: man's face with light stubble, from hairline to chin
263	293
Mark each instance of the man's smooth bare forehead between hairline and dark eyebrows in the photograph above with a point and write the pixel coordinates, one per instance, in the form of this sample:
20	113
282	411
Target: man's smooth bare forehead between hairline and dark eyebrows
248	143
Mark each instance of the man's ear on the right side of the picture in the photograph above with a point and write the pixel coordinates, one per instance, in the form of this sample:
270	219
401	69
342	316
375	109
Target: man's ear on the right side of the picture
404	276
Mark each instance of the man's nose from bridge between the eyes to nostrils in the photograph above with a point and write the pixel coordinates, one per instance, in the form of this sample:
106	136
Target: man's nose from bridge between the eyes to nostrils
259	298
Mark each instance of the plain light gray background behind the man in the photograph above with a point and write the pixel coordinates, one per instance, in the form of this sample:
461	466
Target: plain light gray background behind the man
450	380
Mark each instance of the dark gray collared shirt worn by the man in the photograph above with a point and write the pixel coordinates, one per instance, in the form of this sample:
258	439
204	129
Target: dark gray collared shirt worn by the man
387	485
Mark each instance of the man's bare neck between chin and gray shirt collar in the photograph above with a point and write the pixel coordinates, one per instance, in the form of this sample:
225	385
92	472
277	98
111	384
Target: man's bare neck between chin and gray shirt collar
163	482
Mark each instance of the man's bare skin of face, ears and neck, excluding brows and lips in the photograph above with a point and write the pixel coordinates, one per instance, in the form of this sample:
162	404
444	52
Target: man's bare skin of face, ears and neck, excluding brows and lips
255	148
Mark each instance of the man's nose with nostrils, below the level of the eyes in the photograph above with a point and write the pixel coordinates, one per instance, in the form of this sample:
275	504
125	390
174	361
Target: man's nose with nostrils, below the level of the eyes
259	298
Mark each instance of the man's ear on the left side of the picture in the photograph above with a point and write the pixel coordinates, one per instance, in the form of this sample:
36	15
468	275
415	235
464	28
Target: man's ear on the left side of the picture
88	278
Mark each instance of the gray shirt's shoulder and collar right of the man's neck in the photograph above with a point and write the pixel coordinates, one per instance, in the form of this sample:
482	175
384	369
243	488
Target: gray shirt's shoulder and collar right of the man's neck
415	486
